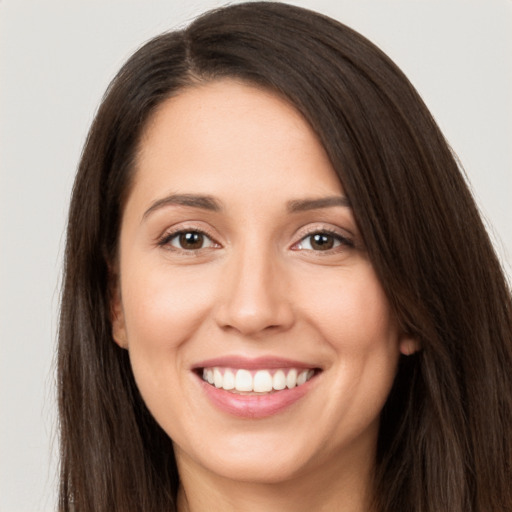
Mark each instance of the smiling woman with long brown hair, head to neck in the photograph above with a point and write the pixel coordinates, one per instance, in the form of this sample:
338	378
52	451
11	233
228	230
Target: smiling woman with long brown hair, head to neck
278	291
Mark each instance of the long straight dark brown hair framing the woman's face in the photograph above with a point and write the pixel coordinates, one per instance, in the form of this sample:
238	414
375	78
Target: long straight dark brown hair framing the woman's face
445	441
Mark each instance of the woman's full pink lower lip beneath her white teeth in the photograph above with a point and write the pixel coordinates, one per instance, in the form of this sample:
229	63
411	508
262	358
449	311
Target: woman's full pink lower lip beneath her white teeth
254	406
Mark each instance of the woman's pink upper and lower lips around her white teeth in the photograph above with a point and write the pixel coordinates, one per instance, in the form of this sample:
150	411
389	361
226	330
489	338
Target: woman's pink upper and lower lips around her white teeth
253	406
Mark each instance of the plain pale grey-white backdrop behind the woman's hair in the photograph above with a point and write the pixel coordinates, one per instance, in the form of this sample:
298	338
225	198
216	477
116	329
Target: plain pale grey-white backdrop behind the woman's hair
56	59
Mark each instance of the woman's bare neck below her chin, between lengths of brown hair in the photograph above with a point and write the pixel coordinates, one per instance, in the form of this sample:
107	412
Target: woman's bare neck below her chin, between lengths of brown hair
346	488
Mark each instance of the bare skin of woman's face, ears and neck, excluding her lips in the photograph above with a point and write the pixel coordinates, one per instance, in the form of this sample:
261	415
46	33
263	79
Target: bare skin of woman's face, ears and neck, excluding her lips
256	287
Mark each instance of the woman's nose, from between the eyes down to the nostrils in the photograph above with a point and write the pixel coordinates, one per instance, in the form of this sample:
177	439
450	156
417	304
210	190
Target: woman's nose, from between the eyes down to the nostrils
254	296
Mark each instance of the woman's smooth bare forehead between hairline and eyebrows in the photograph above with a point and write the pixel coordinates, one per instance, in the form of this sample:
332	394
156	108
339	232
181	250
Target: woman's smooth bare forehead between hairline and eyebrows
229	134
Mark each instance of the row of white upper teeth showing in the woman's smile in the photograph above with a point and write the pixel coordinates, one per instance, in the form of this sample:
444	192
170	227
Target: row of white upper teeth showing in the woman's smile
262	381
